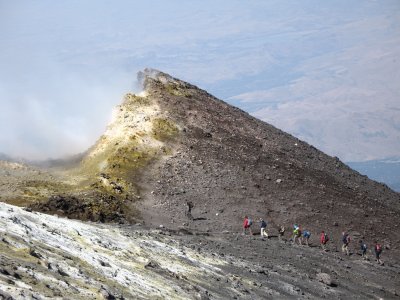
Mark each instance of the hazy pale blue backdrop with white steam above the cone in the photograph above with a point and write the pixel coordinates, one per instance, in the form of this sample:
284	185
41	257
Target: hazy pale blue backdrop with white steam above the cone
327	72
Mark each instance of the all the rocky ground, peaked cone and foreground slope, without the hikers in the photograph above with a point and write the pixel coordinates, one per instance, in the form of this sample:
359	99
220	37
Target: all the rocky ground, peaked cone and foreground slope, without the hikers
172	148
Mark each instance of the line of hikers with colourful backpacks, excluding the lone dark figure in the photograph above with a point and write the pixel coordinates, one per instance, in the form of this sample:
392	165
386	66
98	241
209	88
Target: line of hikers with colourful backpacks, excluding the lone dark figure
304	236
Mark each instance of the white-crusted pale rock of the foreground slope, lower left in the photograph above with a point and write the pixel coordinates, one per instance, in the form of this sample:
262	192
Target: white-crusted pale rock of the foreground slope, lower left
45	257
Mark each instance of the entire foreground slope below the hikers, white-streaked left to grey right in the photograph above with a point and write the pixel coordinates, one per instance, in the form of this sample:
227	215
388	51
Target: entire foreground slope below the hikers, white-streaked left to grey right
48	257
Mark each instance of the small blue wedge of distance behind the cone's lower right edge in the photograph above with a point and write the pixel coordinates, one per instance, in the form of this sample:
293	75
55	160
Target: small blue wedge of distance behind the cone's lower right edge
386	171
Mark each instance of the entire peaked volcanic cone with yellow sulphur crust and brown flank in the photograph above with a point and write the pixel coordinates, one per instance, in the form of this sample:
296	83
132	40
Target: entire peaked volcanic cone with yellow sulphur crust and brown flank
175	144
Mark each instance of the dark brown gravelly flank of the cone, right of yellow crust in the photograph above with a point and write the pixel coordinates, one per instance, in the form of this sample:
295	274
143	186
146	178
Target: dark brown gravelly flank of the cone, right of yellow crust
226	160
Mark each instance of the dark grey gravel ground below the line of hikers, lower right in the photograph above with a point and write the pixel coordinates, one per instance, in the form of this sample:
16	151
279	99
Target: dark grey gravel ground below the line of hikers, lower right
281	268
